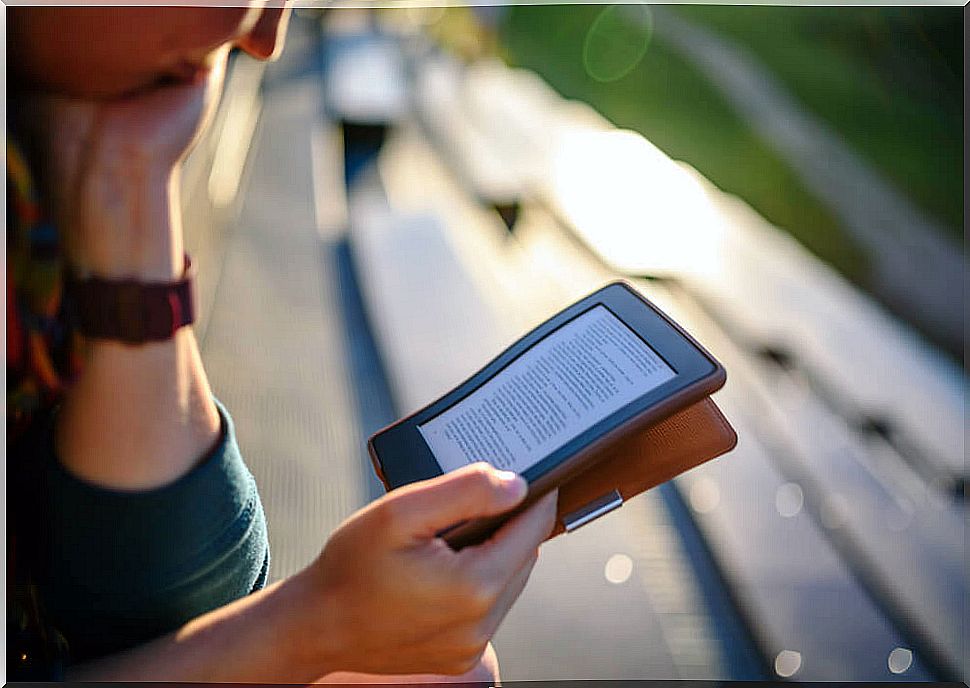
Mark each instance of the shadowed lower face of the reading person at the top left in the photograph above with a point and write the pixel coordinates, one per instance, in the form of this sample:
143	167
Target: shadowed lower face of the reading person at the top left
106	52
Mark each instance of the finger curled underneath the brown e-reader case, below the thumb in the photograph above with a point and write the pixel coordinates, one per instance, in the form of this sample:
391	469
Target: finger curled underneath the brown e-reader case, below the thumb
516	541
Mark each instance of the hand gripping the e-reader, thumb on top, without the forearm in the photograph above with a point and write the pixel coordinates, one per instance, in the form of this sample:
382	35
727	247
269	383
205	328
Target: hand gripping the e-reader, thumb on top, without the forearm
395	599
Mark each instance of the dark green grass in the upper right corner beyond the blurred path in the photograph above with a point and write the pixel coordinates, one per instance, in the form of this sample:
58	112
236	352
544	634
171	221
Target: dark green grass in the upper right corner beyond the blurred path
889	80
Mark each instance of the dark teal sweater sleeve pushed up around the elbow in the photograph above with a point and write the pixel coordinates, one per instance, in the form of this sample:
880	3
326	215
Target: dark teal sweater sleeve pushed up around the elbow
117	568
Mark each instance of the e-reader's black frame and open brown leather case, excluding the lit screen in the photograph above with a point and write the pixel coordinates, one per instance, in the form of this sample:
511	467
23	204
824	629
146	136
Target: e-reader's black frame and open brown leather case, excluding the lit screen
661	439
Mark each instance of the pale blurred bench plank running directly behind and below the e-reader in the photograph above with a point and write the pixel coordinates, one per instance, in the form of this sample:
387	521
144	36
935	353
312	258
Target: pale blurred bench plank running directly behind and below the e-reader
435	281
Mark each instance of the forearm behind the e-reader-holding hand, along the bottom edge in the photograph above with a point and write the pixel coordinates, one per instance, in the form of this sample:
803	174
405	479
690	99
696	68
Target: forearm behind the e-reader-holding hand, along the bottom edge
258	639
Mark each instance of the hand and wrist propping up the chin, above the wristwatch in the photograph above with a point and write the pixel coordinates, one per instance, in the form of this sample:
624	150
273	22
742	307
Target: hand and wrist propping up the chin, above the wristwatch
109	172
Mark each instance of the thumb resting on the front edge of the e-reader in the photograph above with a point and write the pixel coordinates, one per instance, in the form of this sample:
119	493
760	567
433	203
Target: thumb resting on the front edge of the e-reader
423	509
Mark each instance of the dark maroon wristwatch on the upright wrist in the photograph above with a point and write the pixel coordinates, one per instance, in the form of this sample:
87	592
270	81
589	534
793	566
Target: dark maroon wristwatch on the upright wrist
131	311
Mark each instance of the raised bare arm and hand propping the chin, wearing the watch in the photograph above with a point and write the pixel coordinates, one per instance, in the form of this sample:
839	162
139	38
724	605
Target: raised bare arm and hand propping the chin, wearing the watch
139	416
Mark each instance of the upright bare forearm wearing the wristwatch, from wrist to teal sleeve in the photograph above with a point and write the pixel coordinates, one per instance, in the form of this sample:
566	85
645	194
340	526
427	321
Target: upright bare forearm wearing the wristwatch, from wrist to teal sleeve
139	416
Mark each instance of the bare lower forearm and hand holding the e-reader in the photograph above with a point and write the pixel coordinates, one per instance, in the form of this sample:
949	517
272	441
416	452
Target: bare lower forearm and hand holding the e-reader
385	597
